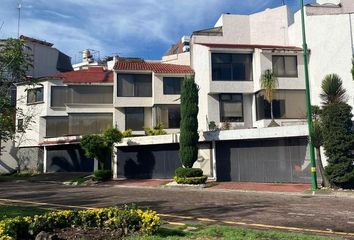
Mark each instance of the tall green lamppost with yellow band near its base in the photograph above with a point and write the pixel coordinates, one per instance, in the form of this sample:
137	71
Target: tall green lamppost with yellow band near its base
308	100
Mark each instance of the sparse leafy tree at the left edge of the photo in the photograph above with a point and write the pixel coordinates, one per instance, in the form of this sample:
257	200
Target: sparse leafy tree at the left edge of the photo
14	63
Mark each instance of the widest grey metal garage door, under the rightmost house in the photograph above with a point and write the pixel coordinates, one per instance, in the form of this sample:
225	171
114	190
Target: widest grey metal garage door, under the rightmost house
266	160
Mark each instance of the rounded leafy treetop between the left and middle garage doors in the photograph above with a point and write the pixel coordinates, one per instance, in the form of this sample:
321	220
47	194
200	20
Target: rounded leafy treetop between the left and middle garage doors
94	146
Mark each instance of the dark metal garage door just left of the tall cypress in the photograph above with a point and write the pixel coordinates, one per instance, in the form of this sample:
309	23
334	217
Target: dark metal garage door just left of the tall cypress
152	161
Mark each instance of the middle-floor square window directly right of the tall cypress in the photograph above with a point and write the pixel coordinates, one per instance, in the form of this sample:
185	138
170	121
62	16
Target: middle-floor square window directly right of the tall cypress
231	107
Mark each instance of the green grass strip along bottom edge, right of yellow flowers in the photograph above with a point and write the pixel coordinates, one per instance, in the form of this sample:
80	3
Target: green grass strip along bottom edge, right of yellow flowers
227	233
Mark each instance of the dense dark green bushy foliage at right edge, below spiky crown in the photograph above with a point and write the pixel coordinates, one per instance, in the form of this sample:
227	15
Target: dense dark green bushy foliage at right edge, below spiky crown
338	143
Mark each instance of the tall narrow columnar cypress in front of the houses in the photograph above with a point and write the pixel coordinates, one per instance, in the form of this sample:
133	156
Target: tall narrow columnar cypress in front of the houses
189	137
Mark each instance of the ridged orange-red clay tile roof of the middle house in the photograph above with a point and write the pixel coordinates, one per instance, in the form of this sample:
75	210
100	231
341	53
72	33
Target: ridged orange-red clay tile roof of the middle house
154	67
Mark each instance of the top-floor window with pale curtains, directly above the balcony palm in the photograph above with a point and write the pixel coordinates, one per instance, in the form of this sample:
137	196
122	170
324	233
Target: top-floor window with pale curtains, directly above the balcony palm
285	66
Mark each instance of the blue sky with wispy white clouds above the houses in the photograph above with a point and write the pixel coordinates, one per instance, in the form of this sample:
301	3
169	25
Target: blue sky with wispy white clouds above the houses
128	28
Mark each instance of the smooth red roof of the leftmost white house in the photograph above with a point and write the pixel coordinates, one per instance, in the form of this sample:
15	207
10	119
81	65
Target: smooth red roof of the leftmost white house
90	75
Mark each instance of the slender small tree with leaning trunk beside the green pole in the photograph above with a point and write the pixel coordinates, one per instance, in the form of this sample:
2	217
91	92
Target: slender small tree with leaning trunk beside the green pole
316	137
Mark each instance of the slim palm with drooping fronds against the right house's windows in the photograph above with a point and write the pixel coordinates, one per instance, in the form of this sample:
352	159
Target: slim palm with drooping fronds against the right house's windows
269	82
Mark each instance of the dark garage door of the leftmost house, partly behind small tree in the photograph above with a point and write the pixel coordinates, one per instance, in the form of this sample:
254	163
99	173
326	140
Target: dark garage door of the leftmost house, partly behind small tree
68	158
